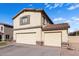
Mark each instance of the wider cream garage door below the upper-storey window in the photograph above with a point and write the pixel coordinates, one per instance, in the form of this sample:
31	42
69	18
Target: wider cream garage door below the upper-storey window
26	38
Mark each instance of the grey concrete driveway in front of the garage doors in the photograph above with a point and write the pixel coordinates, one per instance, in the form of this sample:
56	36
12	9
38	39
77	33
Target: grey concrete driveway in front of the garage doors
28	50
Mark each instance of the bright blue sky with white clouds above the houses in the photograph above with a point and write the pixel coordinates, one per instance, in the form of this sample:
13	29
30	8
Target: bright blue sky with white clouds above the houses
58	12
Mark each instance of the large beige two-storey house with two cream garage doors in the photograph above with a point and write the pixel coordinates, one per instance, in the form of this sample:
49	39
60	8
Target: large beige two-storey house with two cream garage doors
33	26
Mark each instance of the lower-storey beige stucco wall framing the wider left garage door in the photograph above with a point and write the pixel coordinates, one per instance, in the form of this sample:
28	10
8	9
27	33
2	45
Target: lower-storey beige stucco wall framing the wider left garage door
37	30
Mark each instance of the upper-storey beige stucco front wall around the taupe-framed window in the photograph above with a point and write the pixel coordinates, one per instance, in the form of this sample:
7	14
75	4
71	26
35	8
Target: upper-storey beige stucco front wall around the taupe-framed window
35	20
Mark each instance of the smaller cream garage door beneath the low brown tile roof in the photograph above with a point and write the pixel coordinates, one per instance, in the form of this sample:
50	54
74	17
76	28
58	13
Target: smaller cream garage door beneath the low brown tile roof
52	39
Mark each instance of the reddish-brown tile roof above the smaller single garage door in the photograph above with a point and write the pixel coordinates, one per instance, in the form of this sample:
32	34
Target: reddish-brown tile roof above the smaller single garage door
61	26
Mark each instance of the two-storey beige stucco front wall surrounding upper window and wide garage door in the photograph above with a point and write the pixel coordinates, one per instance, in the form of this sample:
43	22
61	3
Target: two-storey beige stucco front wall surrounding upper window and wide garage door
35	21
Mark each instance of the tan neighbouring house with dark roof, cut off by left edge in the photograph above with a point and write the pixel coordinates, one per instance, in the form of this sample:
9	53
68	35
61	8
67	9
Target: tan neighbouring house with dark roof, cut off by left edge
6	32
